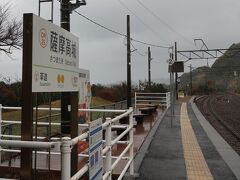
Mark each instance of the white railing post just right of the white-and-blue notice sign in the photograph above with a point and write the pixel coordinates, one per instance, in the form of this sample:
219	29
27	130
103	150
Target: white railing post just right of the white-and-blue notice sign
108	137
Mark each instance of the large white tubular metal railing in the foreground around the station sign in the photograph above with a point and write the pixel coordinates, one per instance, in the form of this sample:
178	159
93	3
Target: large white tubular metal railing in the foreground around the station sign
66	143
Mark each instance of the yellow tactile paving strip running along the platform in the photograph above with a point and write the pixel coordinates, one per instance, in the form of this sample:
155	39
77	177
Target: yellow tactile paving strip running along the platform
196	166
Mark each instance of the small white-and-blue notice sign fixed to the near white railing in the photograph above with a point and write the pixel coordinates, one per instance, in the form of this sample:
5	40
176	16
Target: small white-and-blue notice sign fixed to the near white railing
95	150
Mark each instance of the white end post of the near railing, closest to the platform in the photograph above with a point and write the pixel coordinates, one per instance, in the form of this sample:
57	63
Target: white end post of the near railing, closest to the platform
131	141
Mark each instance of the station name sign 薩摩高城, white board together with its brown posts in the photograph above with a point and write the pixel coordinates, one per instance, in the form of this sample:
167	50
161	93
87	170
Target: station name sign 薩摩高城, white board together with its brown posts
50	64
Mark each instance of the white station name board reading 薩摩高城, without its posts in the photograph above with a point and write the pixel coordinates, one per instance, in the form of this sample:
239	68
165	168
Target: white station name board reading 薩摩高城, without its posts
55	58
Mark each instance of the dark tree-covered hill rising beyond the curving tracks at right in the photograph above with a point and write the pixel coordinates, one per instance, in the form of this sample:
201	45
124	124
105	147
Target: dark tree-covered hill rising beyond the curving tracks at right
224	75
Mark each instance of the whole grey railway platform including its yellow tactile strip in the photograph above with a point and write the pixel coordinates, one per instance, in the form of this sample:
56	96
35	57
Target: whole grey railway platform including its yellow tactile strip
189	148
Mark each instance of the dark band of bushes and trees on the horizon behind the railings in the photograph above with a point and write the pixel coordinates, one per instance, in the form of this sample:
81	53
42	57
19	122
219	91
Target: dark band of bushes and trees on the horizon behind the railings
10	93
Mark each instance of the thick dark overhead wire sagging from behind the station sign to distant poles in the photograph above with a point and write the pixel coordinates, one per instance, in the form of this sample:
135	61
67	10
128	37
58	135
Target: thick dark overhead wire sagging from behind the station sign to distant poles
120	34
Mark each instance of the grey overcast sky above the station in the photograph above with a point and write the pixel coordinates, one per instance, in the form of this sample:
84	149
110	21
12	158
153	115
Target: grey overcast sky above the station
104	53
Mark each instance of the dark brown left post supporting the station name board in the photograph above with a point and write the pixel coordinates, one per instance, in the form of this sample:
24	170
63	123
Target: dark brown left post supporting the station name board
27	96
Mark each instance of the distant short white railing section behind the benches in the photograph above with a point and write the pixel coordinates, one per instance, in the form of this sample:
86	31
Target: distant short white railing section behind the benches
145	98
